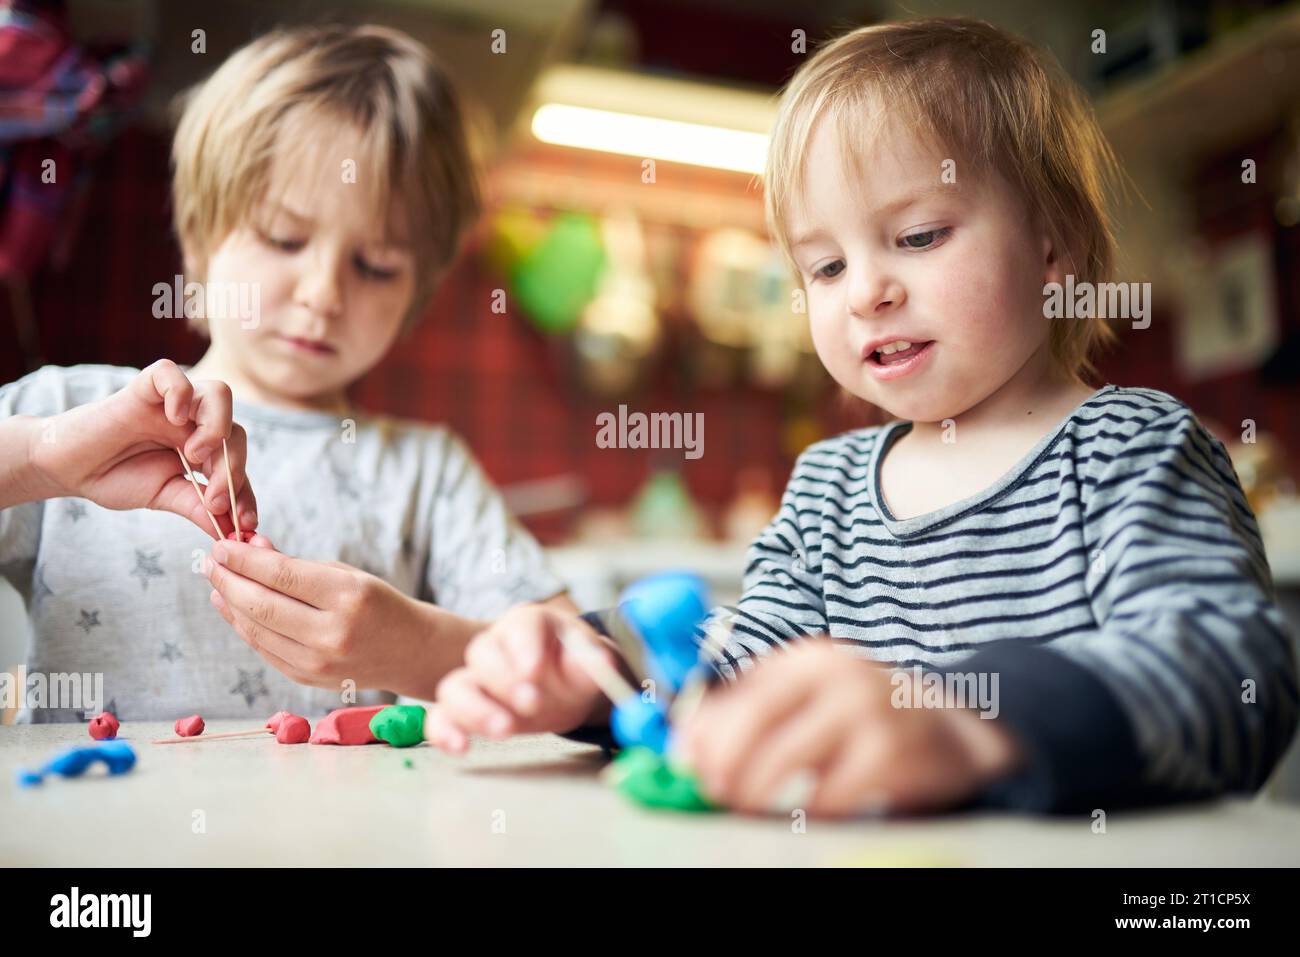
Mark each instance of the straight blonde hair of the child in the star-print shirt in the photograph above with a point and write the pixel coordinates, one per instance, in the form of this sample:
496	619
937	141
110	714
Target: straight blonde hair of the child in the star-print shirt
379	81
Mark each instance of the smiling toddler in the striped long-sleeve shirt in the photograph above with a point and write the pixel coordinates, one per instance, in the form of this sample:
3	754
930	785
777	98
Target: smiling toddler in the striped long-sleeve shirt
1081	557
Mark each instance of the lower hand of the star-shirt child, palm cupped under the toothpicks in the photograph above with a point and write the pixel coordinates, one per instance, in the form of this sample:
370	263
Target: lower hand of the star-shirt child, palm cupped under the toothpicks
323	623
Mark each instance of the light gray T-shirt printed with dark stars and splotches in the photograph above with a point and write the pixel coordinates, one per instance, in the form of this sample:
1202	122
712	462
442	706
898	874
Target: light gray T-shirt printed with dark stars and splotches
123	592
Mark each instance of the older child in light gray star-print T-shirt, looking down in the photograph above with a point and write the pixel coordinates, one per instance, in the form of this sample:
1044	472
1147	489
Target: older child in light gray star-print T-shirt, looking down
324	172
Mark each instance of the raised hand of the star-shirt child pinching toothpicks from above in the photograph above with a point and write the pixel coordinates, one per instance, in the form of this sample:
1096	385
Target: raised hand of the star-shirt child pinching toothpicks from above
120	452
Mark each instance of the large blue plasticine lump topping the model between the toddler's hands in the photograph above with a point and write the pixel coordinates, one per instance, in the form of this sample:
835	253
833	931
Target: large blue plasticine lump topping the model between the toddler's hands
665	610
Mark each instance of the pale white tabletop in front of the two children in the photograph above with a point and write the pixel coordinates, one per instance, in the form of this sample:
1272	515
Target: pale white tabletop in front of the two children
535	800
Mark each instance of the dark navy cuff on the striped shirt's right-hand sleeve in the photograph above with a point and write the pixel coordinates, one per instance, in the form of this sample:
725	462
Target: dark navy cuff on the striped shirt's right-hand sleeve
1080	747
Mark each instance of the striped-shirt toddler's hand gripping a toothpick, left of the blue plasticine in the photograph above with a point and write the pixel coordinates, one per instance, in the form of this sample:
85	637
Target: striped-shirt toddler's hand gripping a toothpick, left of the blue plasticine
519	679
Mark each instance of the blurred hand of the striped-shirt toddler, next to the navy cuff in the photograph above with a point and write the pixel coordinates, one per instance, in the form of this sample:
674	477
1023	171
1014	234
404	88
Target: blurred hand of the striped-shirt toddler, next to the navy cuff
812	709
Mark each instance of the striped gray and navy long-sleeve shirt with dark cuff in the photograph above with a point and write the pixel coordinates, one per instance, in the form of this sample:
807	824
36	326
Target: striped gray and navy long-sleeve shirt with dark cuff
1115	581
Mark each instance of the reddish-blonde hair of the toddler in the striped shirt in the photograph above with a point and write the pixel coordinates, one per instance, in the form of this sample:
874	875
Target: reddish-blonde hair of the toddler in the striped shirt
980	94
